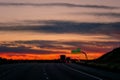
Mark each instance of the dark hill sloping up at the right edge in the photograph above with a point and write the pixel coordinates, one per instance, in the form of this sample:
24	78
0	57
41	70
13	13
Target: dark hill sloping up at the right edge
110	57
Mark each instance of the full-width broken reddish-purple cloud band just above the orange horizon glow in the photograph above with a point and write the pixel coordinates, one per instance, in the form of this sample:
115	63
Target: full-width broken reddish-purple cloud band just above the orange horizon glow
57	45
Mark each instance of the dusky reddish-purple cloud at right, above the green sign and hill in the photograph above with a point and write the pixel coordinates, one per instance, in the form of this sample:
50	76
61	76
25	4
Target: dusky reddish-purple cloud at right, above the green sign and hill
94	46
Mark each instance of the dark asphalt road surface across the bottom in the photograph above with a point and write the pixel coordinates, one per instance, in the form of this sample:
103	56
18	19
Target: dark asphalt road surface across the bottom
53	71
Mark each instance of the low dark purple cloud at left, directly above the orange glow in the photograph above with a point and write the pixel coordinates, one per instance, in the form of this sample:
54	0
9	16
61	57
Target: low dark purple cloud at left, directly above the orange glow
25	50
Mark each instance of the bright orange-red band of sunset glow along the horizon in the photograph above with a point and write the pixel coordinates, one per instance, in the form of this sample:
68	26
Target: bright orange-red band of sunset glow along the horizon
48	56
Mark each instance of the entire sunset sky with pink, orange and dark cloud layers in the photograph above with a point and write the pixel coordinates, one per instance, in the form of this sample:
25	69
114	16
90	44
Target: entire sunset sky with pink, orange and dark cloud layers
37	29
